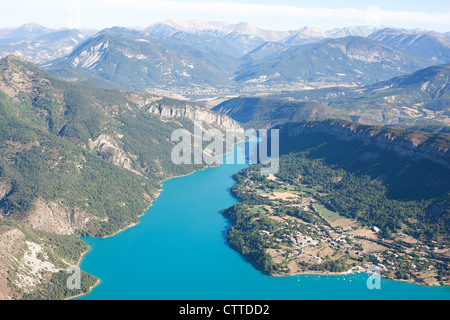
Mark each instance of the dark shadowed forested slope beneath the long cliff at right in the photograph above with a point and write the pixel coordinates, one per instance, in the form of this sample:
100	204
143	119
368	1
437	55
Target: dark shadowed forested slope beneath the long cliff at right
413	165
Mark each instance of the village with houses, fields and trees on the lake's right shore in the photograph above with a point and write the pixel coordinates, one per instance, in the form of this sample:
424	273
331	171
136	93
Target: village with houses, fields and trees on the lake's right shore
303	237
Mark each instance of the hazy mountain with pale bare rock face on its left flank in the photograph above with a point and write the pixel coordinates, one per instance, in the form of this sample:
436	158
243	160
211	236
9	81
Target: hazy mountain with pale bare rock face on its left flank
139	63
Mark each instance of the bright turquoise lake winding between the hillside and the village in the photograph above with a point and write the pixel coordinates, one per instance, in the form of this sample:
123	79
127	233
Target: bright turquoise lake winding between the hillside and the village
179	252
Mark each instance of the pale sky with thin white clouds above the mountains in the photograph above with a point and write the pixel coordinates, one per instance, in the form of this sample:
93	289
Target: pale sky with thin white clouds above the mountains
270	15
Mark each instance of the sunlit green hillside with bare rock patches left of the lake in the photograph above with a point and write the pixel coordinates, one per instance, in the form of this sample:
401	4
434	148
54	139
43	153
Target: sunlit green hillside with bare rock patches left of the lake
77	160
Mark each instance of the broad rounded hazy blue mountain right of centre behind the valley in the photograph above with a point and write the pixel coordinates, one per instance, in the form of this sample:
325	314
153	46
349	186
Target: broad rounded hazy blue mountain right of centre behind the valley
350	60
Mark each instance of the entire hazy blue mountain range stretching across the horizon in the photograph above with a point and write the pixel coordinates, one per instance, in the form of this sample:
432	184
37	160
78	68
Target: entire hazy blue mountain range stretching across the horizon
195	58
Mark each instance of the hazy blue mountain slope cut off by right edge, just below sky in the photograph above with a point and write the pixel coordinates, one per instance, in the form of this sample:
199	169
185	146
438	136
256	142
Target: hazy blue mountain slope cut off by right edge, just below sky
430	46
